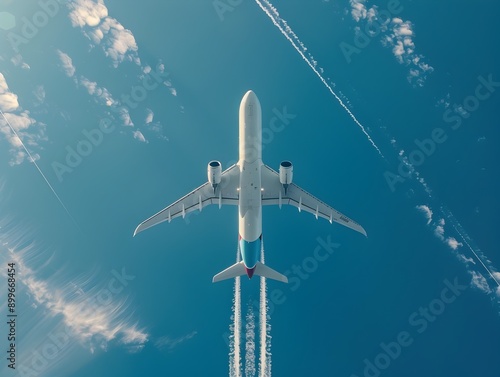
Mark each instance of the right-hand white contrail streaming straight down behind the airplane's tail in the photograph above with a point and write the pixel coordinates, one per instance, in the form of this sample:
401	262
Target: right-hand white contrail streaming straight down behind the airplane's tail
264	328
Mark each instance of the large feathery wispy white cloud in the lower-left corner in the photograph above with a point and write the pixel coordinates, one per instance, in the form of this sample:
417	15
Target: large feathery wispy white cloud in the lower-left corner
67	317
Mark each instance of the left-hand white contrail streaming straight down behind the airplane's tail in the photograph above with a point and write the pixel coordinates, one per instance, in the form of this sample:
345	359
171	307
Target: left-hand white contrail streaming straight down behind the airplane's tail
235	328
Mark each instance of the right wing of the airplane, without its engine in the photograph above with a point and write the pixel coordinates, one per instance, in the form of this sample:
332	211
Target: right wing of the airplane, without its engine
274	194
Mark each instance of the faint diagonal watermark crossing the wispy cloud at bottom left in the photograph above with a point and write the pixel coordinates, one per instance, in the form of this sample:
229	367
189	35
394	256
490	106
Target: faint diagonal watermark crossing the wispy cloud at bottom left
58	342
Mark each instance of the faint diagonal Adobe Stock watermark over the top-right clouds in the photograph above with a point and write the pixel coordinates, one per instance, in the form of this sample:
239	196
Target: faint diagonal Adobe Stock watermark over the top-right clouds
362	38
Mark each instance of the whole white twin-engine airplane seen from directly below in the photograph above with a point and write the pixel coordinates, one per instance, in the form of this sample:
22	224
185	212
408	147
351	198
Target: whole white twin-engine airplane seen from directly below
249	184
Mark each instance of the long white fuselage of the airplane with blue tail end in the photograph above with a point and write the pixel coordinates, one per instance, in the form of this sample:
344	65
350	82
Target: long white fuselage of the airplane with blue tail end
250	163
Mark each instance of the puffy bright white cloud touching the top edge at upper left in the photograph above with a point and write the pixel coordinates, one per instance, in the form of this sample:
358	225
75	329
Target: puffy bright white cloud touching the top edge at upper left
92	17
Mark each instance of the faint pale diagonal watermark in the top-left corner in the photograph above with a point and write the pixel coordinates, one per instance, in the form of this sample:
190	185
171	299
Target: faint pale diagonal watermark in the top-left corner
29	27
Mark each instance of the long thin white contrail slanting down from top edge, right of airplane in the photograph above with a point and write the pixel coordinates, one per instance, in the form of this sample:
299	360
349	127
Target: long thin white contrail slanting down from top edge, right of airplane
287	31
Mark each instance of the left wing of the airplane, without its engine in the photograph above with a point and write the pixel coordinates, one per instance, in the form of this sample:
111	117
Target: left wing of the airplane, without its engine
225	193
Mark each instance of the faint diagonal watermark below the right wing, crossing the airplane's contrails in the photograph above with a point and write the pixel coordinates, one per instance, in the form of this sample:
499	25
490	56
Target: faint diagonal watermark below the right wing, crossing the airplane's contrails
297	274
